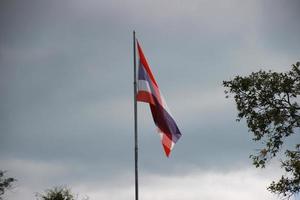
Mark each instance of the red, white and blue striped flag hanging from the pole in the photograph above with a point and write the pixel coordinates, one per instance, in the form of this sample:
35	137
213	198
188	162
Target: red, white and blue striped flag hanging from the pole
149	92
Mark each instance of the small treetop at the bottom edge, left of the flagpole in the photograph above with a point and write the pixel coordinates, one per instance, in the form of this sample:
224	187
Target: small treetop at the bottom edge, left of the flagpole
58	193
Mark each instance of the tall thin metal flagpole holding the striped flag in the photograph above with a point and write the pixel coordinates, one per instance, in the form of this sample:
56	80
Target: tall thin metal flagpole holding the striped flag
135	121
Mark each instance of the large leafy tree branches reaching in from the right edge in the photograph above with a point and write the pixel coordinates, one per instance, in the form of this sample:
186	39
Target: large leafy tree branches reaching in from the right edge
269	101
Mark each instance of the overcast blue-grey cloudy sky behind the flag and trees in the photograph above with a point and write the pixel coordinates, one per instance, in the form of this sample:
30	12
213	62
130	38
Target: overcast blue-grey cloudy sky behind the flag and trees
66	106
